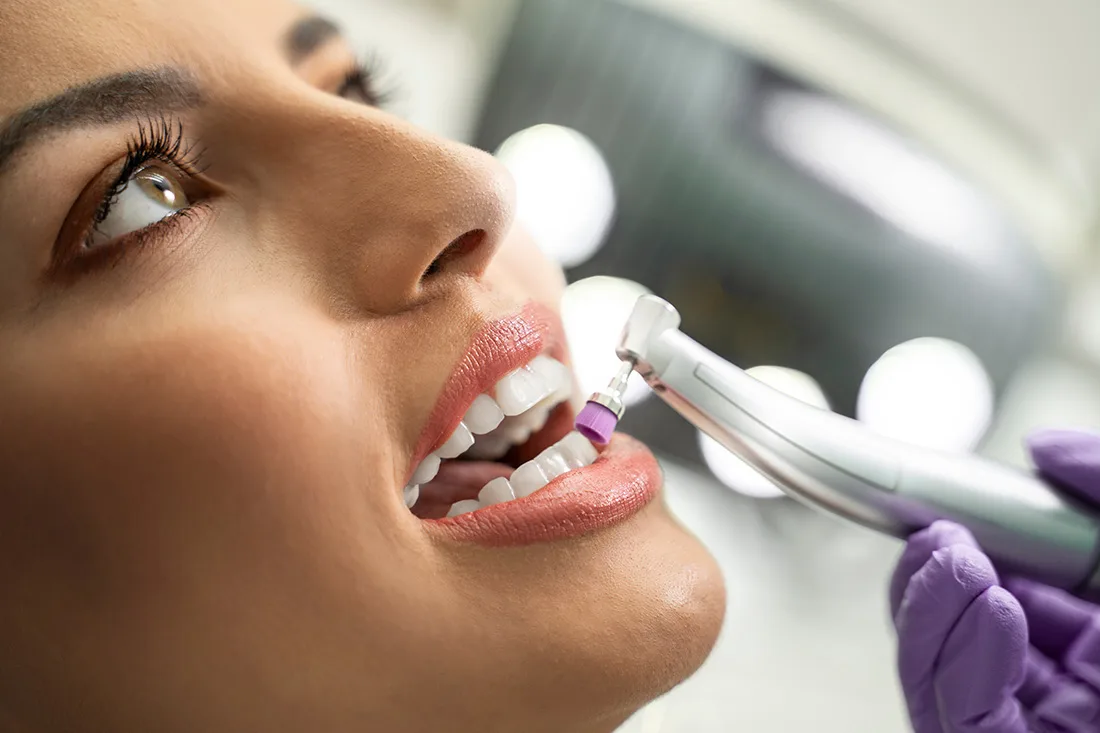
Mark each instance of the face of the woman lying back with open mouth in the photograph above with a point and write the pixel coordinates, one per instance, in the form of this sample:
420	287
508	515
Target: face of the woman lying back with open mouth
217	380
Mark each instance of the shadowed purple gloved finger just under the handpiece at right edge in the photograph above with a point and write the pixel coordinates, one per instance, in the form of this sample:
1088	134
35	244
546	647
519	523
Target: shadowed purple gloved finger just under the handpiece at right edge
1063	628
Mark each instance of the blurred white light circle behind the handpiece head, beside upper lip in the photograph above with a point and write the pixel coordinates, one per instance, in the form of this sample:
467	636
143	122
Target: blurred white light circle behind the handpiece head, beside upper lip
595	312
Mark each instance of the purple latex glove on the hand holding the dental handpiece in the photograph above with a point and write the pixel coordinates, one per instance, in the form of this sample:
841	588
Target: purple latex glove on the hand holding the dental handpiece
976	657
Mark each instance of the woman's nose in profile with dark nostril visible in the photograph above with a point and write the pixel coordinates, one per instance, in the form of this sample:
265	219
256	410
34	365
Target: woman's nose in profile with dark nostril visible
389	210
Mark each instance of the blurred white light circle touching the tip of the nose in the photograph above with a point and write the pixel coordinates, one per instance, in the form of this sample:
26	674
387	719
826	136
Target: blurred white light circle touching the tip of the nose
565	193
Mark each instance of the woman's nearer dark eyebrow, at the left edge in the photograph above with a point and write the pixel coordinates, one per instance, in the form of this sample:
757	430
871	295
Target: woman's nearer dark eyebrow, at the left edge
106	101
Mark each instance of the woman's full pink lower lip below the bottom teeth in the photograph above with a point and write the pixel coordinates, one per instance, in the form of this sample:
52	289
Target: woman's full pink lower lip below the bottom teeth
623	480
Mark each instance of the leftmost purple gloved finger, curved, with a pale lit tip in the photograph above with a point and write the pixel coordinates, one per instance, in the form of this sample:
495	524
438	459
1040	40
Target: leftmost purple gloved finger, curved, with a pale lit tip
936	599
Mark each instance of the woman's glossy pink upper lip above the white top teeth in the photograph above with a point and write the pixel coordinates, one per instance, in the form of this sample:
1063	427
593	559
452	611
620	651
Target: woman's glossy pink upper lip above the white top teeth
501	347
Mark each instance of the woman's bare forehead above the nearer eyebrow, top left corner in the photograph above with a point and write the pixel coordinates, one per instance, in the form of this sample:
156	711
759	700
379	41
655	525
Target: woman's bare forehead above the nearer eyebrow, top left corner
49	46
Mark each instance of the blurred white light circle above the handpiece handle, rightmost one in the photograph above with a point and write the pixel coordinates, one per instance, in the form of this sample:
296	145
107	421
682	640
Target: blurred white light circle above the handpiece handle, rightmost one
929	392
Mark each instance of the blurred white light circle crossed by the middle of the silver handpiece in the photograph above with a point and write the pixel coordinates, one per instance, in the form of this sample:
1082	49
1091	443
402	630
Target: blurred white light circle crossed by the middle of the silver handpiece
732	471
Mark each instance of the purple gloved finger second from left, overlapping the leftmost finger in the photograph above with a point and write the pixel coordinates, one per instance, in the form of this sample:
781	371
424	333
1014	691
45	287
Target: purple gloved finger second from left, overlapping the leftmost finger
982	665
